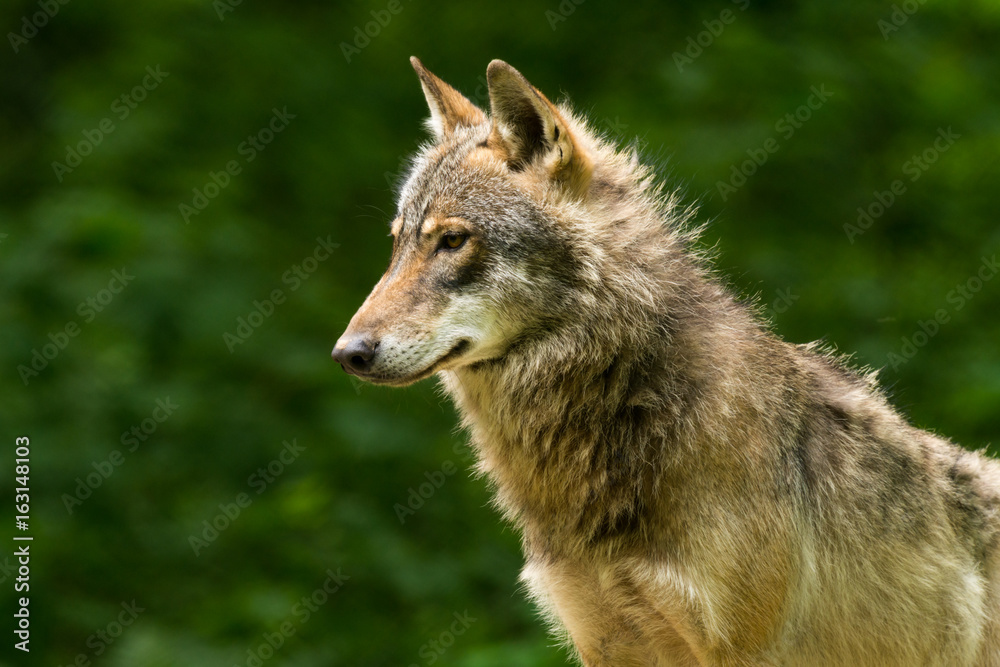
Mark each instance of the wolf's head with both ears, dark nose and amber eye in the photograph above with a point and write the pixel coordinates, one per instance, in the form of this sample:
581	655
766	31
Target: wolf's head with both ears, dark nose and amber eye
496	239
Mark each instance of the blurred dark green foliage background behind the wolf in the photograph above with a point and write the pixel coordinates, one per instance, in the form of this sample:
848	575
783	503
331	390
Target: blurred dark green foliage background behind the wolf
702	87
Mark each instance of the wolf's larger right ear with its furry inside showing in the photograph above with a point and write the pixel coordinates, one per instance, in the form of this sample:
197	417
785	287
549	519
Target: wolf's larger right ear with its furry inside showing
527	125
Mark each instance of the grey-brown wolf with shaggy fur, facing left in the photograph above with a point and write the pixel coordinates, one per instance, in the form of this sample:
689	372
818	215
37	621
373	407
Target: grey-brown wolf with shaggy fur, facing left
691	490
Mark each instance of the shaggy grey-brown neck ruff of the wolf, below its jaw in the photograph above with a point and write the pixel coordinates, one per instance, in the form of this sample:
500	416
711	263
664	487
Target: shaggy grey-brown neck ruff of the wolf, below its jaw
579	432
